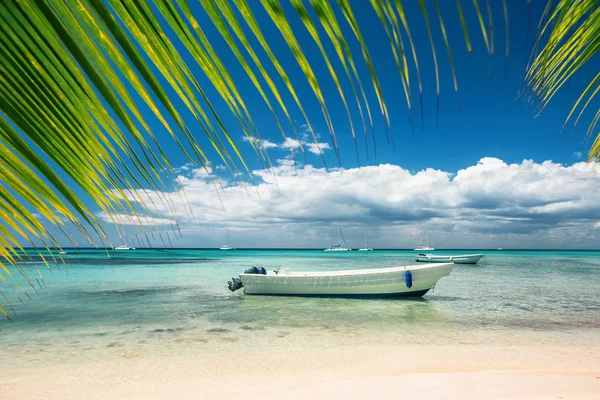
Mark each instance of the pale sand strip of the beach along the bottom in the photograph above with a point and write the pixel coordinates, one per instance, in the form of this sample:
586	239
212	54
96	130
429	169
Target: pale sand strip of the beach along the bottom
529	372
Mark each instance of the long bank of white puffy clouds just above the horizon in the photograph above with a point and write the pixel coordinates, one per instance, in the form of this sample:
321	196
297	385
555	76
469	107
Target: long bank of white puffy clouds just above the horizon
490	204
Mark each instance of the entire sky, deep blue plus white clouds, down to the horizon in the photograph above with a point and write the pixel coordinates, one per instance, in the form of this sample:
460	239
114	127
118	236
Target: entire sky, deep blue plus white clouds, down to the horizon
487	140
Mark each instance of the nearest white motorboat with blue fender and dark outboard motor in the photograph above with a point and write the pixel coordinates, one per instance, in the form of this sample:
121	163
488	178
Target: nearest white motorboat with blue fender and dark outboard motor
414	280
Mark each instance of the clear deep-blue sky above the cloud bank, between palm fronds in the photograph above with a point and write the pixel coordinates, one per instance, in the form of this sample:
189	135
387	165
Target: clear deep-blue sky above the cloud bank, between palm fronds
491	121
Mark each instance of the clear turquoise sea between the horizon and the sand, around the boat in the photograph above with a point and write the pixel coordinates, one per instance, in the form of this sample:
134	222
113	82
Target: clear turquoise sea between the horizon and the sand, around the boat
149	302
